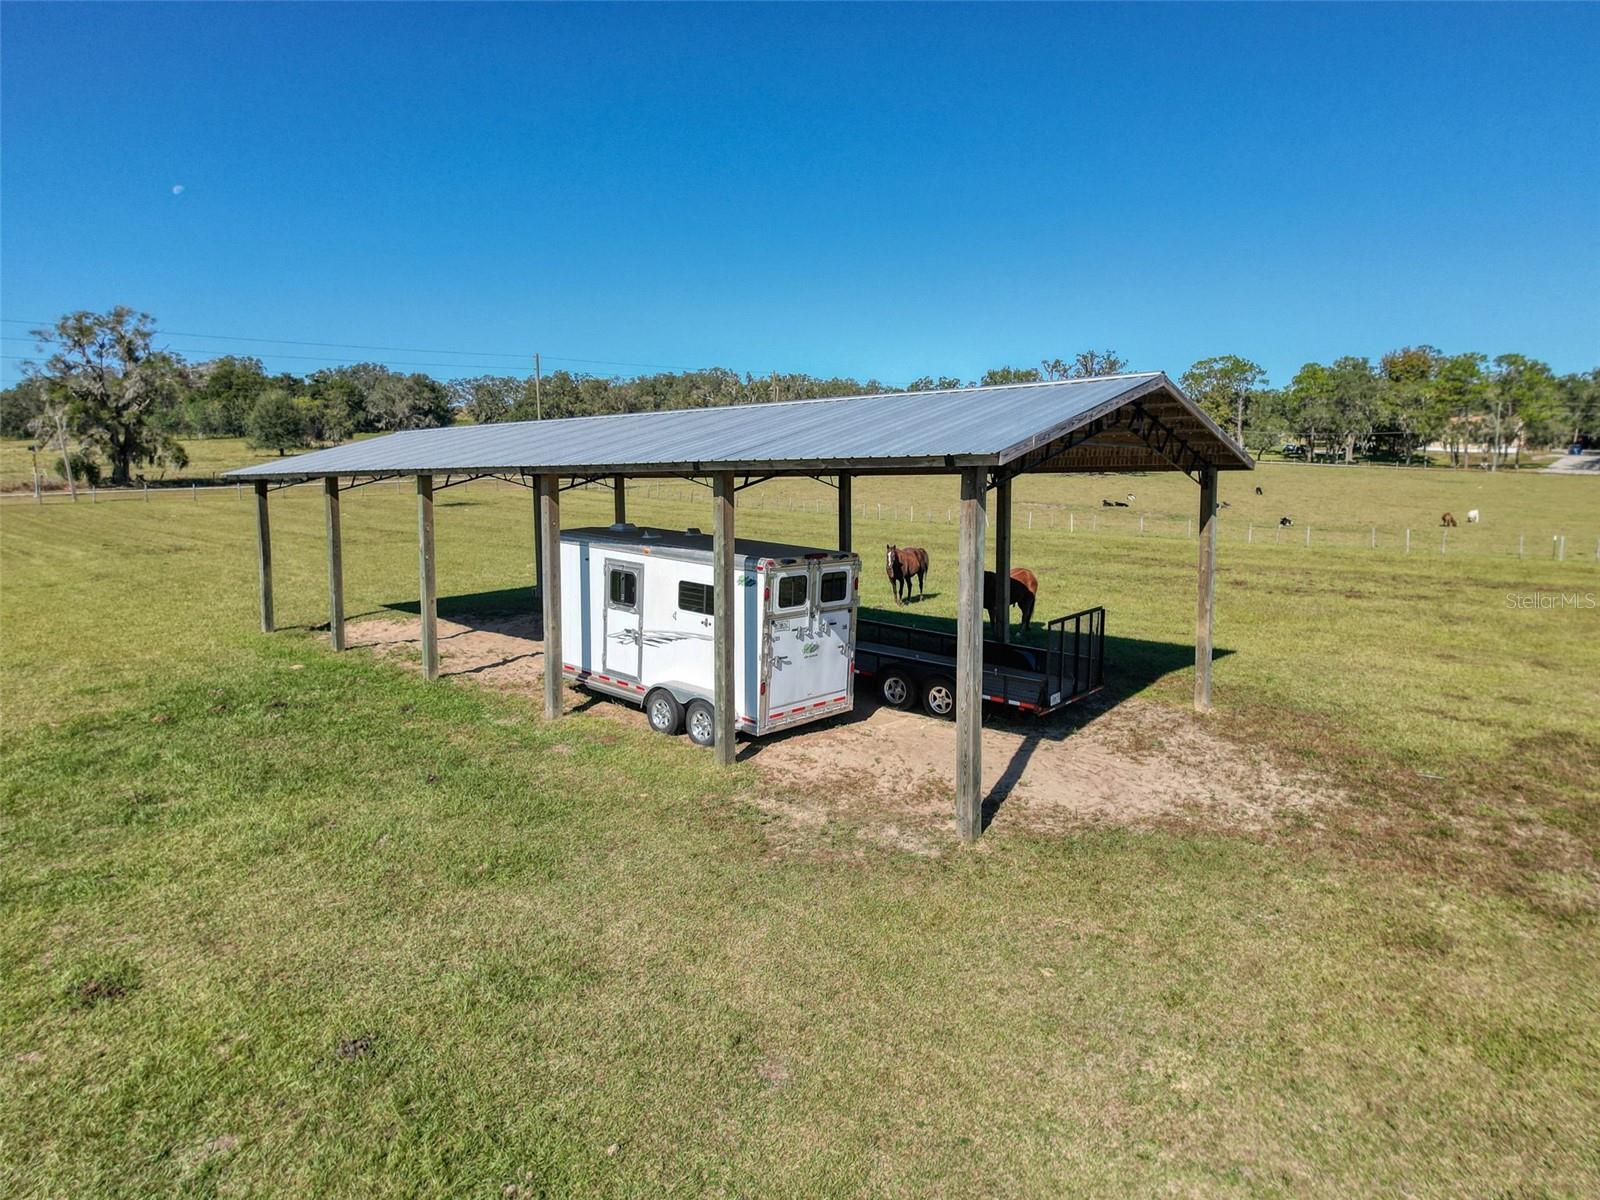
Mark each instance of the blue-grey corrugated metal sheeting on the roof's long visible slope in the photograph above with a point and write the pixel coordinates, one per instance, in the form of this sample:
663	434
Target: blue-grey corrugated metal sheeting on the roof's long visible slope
974	426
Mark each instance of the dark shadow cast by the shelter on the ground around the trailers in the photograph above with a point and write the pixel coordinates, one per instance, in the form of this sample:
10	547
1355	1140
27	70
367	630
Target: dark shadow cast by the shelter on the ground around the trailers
1132	666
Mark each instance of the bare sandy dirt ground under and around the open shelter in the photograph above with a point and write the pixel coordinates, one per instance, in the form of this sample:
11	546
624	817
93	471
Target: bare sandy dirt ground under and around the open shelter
890	775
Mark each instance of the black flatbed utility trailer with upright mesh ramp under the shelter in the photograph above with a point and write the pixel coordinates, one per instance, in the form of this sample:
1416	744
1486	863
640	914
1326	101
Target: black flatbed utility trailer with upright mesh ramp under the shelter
908	665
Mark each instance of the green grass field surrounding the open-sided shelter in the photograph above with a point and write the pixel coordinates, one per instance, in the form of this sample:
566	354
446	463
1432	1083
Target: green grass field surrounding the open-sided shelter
278	921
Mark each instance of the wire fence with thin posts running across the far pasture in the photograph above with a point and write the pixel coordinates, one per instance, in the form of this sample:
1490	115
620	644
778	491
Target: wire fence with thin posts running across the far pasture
1463	540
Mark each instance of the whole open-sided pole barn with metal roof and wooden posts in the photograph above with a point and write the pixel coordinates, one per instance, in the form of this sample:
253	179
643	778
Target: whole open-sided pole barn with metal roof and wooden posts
985	436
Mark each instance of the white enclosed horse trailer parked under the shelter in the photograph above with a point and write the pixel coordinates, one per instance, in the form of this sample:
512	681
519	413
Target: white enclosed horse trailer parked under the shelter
638	623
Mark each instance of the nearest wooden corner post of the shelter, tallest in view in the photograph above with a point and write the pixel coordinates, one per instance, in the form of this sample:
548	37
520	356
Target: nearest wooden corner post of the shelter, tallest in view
970	660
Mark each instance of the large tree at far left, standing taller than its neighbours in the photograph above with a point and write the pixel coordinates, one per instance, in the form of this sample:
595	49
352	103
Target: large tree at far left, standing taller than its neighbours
113	383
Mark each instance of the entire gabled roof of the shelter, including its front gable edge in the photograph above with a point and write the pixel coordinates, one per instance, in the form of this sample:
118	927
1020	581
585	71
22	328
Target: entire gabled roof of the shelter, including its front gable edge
886	431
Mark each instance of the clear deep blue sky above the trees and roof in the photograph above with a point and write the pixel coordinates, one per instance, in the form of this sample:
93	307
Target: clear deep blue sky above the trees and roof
858	191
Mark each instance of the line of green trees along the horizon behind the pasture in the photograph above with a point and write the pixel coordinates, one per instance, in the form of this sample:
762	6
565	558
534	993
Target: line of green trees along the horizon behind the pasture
113	406
